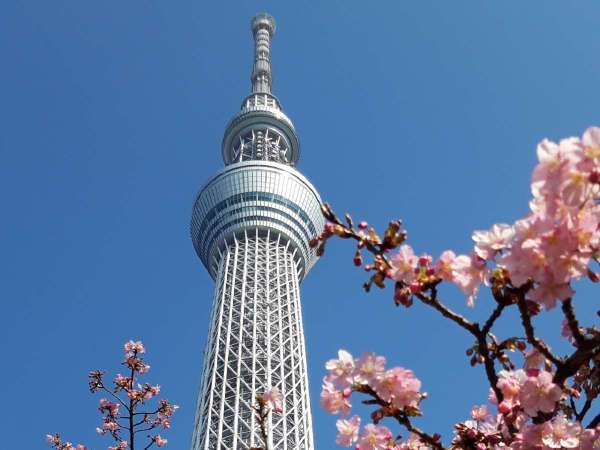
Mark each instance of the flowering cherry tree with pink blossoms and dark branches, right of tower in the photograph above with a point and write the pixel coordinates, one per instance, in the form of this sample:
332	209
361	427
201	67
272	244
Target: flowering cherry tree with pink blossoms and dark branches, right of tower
530	265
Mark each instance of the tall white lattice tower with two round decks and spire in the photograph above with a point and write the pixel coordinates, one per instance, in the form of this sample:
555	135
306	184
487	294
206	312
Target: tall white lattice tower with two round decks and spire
251	227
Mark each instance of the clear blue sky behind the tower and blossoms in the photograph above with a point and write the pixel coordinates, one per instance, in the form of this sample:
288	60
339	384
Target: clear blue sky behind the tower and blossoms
112	115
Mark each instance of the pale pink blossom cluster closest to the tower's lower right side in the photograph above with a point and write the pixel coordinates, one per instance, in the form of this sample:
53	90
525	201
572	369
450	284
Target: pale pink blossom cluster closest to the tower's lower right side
396	389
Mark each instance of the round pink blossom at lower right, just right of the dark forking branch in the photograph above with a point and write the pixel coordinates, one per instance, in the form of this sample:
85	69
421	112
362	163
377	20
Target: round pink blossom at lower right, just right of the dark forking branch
539	394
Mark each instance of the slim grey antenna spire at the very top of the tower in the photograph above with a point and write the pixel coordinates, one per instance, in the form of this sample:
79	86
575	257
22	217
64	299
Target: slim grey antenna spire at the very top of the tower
263	28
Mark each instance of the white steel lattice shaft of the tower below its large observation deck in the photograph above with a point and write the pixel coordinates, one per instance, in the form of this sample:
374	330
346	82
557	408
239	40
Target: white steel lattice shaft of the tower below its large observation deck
256	341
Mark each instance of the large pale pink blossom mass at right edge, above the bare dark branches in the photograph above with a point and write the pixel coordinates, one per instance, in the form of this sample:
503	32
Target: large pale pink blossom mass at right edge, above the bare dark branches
549	247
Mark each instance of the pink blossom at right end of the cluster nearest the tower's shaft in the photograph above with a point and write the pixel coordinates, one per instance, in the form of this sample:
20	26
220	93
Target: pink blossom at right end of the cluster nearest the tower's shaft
399	387
